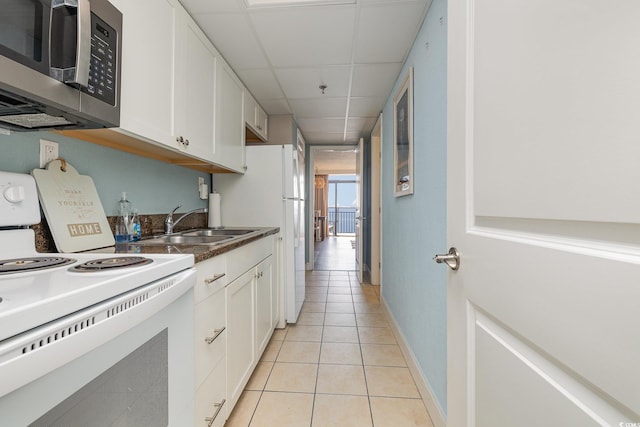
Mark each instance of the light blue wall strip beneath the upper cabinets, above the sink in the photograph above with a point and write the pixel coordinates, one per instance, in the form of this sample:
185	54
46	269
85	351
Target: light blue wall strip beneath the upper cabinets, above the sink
152	187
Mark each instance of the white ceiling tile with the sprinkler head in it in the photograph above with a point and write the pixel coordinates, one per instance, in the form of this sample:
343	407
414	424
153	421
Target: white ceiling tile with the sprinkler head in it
305	82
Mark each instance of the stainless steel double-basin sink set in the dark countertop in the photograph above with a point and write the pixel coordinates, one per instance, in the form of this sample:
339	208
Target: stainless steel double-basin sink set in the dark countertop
201	236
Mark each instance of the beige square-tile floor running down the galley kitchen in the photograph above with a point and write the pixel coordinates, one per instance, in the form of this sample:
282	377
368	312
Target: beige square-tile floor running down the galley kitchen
340	365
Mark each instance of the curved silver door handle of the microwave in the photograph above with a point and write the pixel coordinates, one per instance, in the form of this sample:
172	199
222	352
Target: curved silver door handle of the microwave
78	72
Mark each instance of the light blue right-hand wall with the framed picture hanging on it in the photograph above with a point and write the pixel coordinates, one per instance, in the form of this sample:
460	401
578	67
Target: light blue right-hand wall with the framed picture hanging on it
414	227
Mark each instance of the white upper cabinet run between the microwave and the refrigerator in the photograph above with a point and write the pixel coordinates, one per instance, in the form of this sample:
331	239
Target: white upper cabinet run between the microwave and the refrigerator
178	93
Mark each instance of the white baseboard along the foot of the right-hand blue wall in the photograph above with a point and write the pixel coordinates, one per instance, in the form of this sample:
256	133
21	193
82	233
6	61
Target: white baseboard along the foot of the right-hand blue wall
428	397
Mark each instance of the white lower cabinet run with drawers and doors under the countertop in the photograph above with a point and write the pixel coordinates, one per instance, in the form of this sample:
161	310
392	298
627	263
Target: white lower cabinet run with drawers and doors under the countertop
234	320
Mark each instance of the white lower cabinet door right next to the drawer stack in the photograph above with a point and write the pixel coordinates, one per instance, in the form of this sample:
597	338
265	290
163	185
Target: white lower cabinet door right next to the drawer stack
240	334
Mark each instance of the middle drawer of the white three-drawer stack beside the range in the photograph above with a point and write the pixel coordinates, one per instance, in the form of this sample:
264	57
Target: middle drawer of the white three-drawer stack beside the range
210	334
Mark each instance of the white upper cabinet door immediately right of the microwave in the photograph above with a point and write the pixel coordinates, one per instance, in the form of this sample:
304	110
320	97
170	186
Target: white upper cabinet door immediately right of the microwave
148	55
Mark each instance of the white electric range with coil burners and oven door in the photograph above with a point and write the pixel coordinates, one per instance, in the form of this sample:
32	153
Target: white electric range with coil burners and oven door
67	319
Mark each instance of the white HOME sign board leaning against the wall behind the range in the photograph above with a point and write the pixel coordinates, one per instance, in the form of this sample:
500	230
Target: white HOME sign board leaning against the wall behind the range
72	207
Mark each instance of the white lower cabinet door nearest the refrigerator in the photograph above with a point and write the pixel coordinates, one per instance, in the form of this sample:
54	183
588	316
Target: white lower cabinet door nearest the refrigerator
264	289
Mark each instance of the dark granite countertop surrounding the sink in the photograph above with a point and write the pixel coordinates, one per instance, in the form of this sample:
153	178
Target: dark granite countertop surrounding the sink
200	252
